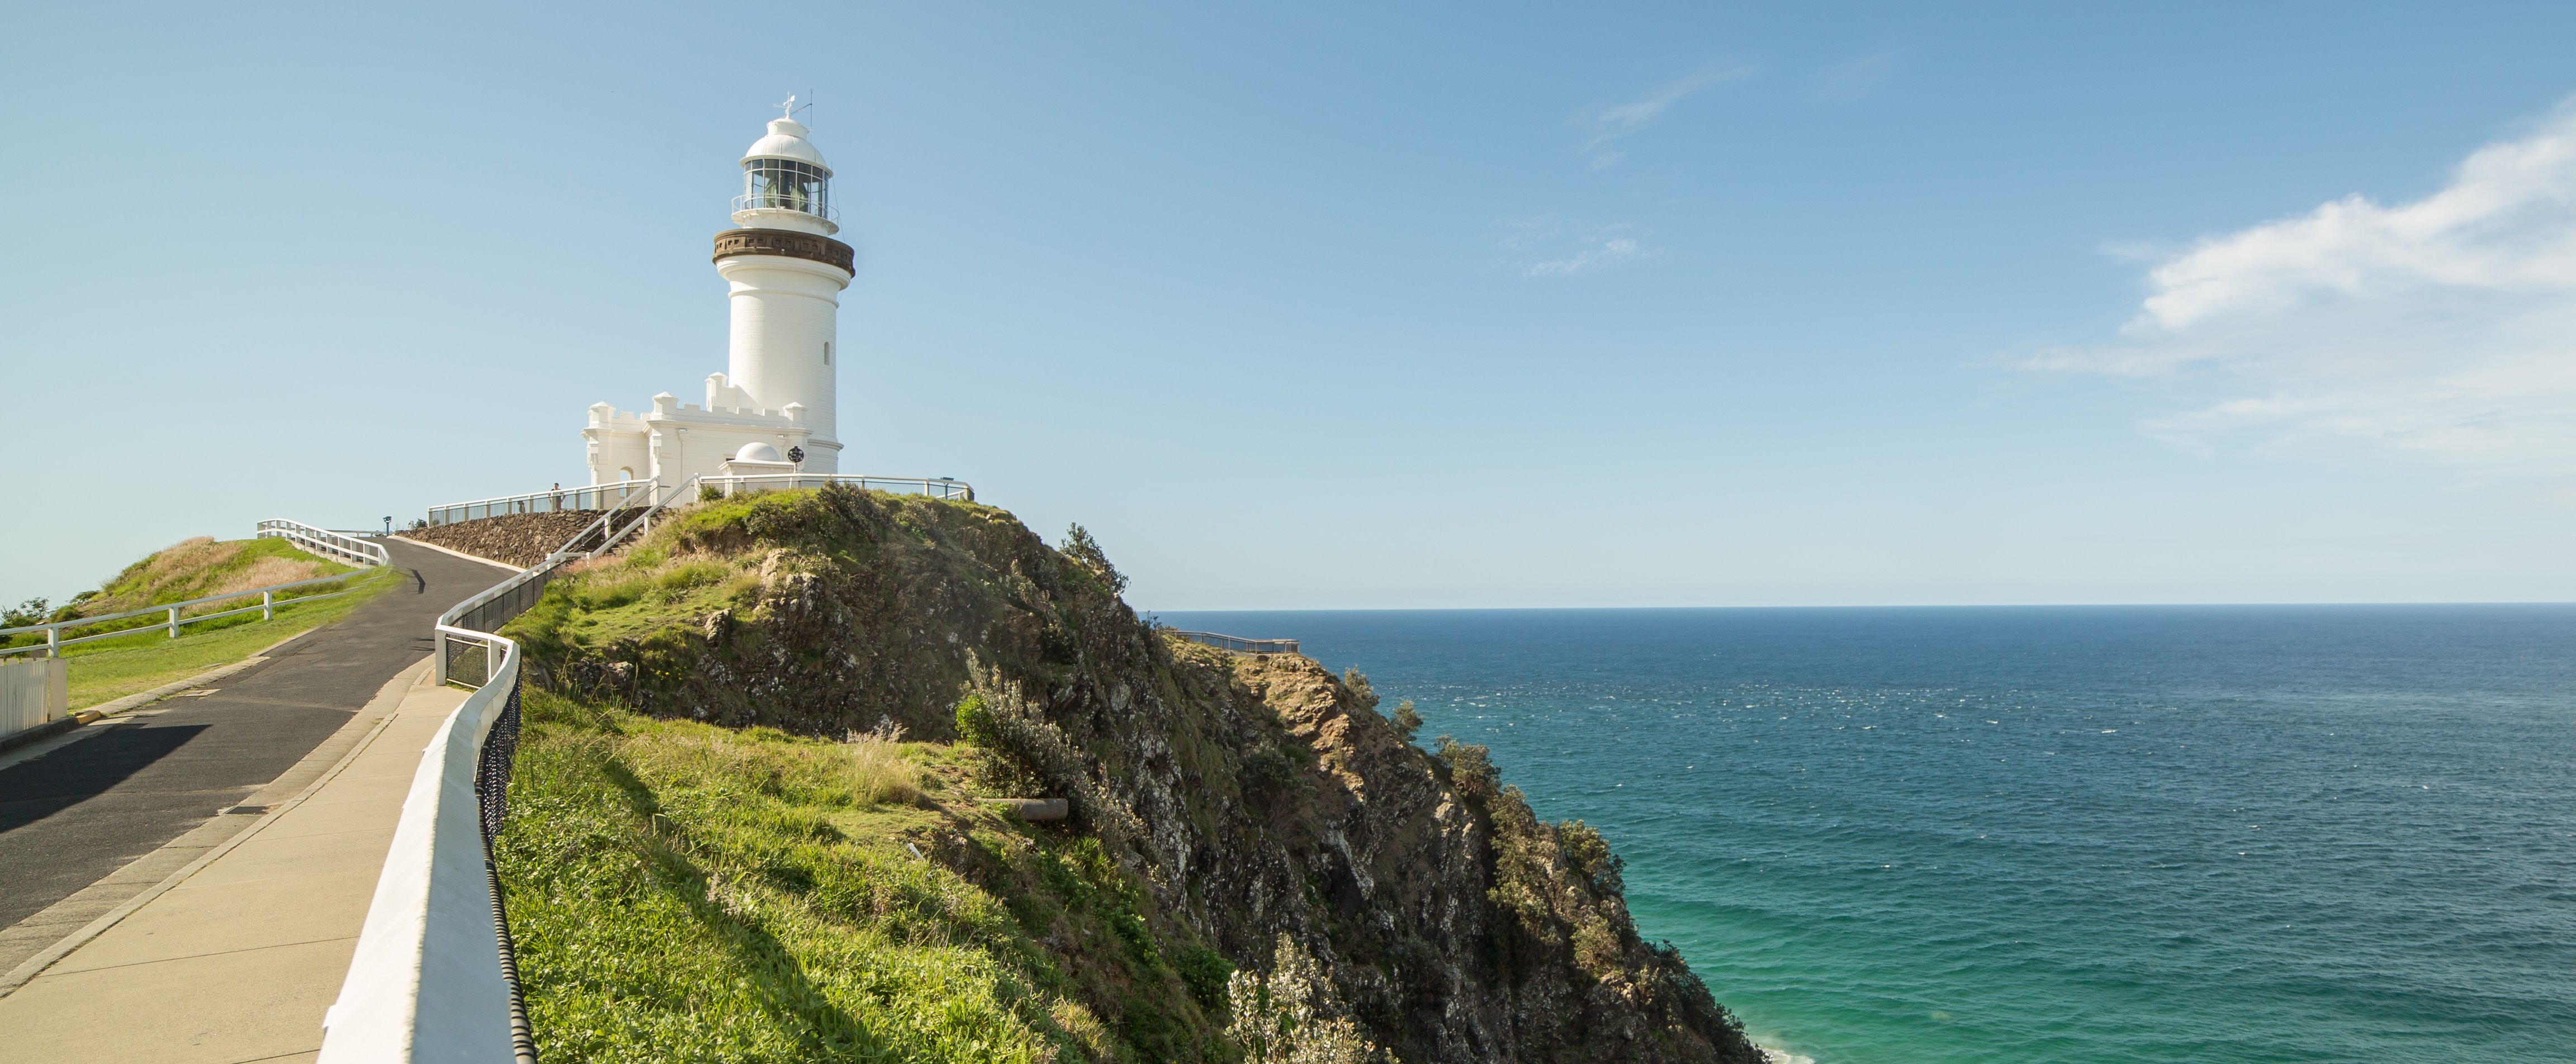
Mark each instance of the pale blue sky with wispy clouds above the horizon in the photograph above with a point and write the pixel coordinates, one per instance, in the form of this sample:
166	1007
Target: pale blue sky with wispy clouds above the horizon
1356	305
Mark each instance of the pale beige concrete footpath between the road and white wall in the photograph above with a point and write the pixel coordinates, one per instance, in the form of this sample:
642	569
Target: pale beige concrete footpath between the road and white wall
238	952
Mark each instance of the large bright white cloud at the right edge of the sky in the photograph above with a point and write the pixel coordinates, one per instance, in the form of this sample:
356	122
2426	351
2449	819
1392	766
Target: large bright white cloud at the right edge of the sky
2443	328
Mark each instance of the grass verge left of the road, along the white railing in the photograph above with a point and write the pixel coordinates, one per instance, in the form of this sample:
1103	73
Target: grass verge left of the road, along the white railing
143	661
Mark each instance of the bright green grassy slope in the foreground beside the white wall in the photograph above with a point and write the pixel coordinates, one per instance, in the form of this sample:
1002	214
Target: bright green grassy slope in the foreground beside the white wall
684	893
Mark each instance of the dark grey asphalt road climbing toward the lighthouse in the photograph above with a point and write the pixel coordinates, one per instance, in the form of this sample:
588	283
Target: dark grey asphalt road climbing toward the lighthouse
86	810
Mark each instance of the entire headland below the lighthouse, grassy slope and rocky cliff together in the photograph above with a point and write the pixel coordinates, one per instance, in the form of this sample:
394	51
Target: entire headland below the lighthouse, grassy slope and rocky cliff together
748	826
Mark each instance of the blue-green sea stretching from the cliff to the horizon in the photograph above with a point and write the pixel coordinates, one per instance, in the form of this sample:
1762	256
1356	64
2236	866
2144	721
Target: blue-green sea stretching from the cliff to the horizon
2029	836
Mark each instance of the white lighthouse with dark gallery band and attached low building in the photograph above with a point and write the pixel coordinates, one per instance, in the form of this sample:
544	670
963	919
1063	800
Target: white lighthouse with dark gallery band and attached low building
772	408
